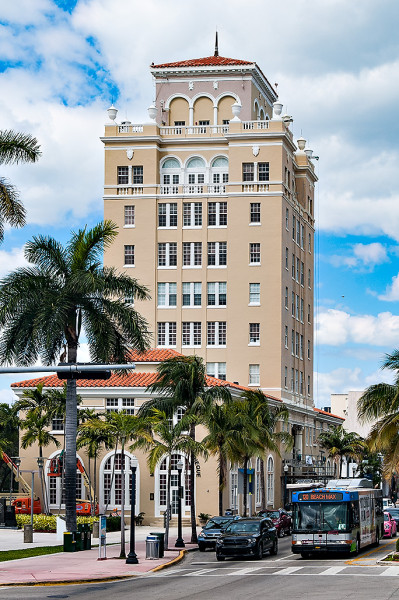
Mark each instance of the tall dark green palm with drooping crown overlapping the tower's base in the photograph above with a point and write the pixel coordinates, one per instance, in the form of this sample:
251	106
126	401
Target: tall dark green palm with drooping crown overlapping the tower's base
181	382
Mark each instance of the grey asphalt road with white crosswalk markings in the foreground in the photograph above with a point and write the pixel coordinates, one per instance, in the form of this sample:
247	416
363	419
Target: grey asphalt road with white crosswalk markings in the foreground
285	576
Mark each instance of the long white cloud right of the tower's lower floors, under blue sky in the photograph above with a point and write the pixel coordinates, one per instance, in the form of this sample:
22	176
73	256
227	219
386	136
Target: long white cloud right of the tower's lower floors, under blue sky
337	327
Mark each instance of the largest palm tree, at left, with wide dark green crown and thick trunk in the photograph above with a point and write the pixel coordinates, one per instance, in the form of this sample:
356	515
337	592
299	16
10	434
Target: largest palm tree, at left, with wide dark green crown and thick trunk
44	307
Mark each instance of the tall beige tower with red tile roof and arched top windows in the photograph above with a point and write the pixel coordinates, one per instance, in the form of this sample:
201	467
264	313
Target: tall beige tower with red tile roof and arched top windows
214	203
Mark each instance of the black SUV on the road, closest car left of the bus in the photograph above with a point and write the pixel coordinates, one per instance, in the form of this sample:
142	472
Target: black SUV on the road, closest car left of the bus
247	537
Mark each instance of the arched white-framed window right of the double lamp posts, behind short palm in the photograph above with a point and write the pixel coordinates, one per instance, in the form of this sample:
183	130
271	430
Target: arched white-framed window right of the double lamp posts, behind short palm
162	476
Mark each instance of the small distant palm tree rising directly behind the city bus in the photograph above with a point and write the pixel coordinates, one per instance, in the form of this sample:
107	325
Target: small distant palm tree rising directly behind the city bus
340	443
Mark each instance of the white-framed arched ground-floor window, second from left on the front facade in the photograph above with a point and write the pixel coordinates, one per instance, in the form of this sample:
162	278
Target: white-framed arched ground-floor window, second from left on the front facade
112	481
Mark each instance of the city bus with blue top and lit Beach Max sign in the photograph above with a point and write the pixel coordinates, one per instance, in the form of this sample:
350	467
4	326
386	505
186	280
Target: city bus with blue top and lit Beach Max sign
345	516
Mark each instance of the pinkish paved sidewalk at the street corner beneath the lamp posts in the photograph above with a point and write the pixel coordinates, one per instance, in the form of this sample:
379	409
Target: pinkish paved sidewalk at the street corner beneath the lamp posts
68	567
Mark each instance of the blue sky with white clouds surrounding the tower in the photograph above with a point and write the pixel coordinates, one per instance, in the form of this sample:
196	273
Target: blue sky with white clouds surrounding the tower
62	63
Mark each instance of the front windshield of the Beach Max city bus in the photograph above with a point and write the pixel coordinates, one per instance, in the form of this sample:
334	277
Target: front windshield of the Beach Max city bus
321	516
